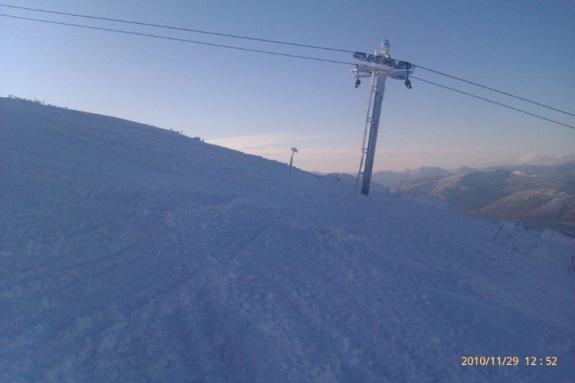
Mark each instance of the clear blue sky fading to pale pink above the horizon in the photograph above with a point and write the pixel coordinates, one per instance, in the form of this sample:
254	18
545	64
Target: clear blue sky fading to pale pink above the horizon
265	104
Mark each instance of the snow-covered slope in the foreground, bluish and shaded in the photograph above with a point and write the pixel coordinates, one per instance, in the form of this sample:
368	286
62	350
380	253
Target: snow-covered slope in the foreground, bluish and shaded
134	254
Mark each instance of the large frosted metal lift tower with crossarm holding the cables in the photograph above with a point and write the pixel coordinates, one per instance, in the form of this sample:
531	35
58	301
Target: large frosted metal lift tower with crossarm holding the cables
380	66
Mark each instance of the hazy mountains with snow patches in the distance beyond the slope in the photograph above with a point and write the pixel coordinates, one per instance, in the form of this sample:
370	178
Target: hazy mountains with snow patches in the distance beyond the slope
539	196
